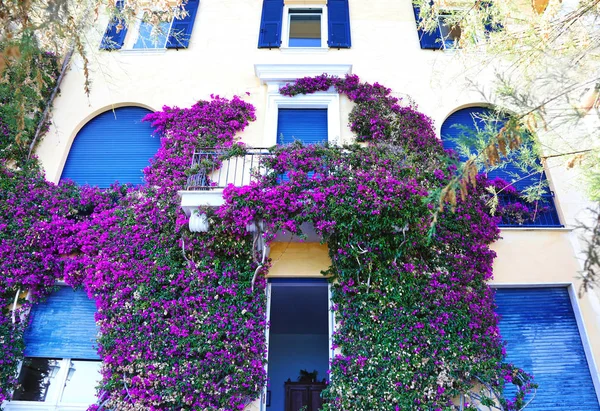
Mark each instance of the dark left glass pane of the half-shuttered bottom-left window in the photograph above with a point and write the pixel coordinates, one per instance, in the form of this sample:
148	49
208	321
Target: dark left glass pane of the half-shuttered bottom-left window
37	380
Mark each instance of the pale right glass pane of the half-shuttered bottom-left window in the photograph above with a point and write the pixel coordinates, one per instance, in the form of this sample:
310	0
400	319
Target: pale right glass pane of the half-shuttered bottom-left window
82	378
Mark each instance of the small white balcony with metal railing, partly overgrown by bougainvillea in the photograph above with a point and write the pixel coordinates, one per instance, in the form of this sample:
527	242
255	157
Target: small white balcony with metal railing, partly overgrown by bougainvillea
214	172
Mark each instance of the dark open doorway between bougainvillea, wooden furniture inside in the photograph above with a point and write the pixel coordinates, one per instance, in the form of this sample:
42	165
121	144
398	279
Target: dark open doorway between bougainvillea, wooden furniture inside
298	343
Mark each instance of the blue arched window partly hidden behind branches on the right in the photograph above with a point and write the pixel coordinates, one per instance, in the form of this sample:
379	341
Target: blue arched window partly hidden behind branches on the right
515	213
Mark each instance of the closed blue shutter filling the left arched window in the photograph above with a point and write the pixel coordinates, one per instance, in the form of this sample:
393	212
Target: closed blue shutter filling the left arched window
113	146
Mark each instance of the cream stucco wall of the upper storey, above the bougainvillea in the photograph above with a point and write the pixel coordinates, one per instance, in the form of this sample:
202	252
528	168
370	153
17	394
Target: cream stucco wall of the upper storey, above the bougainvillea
221	58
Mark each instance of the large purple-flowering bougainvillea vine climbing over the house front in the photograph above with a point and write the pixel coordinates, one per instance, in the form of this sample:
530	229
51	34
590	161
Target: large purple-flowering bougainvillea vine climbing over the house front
182	316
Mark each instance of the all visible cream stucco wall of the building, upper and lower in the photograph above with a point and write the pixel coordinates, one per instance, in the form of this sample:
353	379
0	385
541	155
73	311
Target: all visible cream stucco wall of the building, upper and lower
385	48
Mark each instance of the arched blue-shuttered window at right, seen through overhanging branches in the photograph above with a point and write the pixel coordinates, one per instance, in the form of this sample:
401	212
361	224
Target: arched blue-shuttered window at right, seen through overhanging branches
456	127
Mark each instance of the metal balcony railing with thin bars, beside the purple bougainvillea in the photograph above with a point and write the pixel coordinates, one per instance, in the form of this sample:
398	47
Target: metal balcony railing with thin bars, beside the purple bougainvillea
214	172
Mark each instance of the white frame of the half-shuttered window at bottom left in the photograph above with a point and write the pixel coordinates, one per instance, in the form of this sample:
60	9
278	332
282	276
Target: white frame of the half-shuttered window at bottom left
53	403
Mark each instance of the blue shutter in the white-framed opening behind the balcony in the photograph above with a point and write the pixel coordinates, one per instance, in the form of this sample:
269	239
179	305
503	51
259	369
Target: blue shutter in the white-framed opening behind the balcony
306	125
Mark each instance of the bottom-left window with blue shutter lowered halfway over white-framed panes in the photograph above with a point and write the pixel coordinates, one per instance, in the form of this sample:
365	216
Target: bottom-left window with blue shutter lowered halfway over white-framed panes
61	364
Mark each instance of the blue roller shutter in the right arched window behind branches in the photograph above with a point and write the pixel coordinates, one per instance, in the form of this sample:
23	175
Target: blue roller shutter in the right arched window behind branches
452	129
